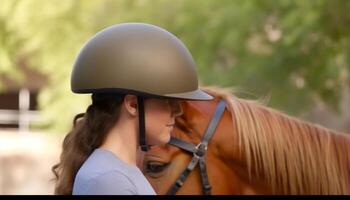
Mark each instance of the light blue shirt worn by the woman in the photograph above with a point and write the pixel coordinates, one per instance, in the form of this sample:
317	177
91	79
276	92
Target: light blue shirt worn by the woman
103	173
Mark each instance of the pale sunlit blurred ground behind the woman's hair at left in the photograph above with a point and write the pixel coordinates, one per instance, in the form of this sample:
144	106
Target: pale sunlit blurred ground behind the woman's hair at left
26	160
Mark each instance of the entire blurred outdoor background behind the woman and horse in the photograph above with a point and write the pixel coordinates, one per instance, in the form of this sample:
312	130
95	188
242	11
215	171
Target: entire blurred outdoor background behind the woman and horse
294	55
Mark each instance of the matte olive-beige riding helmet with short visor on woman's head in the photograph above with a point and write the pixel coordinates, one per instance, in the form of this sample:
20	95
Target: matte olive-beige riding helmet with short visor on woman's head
136	58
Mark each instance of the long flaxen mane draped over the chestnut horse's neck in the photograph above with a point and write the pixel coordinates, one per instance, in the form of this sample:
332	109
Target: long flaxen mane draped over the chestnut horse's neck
294	156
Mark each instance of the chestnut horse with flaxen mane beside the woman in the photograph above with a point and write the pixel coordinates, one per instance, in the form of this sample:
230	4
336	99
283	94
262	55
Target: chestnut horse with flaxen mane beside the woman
254	149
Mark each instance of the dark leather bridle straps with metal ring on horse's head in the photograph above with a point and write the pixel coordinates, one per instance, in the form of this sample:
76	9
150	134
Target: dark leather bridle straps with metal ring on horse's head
199	152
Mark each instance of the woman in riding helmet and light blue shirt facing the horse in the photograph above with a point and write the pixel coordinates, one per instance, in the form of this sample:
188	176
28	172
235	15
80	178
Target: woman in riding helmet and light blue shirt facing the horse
137	73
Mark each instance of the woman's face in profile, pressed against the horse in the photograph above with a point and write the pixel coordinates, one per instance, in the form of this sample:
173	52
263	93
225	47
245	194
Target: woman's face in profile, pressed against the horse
160	119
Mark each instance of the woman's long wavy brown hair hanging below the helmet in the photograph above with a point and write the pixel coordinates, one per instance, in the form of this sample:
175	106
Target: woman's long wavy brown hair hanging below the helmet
86	135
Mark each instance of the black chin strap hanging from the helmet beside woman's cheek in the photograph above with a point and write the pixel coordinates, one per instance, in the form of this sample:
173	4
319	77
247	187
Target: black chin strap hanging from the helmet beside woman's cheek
142	131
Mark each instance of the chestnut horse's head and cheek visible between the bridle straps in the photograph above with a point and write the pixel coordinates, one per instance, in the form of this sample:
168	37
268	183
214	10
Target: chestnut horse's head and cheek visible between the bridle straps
163	165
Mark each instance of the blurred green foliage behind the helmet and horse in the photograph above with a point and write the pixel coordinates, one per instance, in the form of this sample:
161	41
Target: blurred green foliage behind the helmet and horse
296	52
